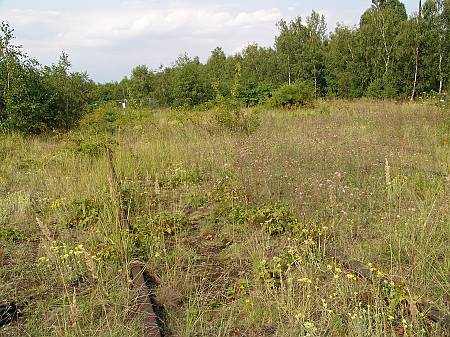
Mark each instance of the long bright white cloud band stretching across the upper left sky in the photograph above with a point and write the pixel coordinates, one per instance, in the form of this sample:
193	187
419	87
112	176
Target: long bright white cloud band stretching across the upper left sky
111	27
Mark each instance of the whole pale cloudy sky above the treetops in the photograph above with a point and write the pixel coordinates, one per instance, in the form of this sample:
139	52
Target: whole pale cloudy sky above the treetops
107	38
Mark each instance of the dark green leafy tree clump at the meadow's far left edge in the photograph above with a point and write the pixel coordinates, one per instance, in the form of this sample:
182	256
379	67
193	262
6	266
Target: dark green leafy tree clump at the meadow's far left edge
35	99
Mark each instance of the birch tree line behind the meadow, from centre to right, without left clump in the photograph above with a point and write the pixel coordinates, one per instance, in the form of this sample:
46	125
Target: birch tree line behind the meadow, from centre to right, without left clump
388	55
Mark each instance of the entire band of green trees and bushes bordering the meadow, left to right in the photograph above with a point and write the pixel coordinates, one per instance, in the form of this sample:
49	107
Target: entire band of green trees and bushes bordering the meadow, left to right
389	55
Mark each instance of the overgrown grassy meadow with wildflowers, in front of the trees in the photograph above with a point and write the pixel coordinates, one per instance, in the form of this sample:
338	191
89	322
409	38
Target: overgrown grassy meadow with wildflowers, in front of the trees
231	214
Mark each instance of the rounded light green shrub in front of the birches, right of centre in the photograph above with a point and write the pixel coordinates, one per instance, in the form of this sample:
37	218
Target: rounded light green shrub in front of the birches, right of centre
293	95
